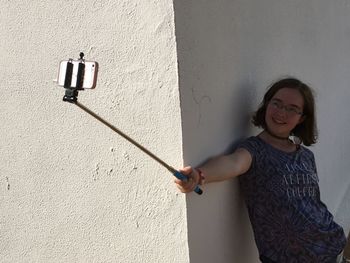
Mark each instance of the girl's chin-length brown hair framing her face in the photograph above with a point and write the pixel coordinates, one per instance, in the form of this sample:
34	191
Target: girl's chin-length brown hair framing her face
306	130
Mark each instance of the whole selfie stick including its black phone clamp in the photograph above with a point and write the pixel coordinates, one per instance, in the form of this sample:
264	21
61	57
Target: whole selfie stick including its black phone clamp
71	96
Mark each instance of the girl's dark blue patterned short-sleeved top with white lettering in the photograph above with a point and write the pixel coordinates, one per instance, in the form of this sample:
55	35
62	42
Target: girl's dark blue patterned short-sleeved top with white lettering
289	221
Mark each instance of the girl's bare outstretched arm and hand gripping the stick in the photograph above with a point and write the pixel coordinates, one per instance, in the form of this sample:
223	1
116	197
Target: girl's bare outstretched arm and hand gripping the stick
217	169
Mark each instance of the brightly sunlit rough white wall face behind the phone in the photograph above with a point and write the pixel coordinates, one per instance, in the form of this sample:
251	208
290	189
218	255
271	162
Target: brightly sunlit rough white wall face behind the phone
70	189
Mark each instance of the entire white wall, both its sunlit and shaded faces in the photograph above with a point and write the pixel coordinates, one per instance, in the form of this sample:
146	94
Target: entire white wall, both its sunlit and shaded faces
73	191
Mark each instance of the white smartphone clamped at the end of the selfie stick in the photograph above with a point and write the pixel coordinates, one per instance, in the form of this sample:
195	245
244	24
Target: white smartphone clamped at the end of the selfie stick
90	73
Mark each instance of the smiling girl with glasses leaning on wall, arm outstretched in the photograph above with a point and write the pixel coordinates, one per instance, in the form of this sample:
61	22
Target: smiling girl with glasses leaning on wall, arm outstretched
278	177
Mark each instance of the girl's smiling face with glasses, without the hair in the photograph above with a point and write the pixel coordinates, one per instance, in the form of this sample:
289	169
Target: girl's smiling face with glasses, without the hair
284	111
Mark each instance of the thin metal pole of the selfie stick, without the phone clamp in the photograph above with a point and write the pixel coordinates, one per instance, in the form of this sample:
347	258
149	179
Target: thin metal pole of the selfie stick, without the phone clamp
176	173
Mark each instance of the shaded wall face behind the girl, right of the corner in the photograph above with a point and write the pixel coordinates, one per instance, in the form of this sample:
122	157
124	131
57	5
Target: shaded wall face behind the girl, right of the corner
229	52
